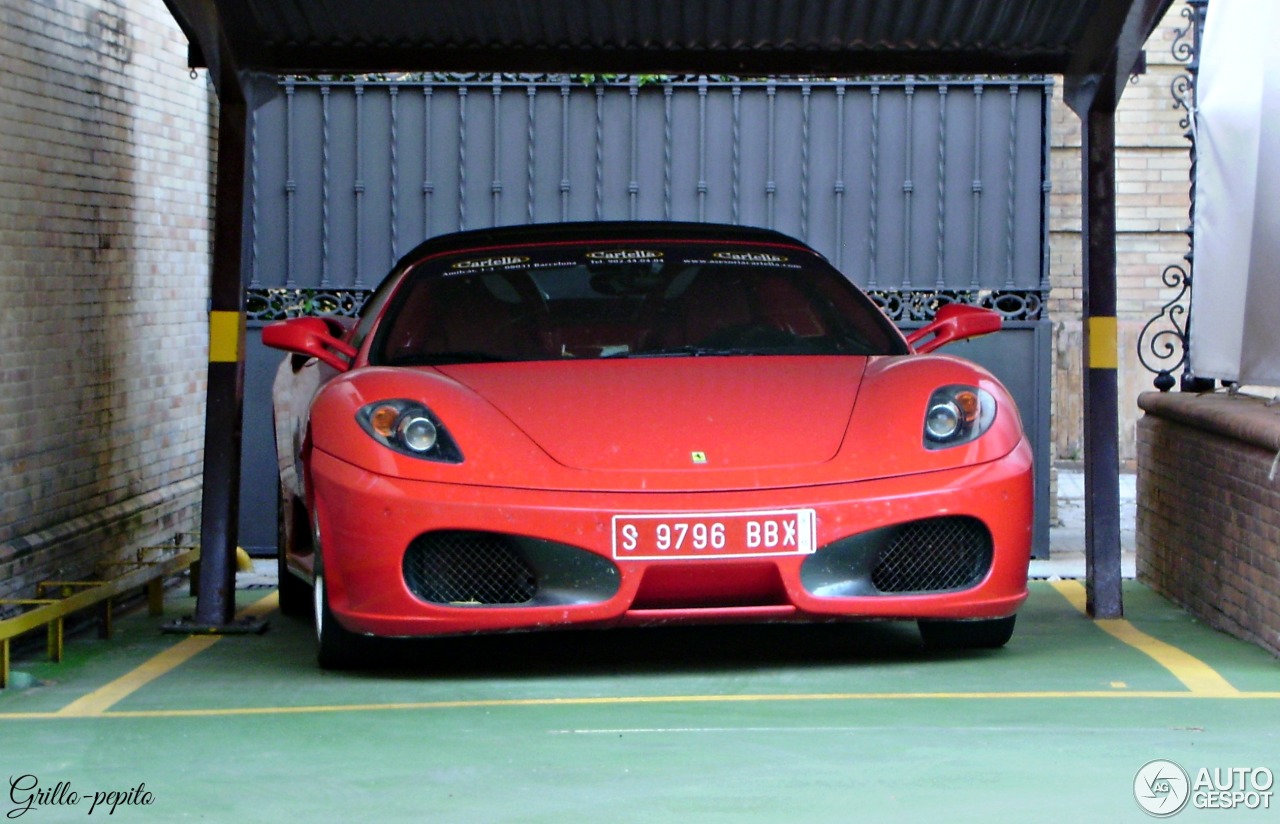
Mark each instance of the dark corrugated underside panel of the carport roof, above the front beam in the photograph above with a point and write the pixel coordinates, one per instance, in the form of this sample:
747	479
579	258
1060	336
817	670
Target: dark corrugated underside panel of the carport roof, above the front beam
1030	26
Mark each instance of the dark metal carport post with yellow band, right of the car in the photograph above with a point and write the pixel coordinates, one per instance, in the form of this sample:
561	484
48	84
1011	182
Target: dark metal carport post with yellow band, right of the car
1101	408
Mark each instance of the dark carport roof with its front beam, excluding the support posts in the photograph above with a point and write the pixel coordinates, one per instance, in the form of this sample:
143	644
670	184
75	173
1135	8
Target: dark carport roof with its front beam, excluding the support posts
1073	38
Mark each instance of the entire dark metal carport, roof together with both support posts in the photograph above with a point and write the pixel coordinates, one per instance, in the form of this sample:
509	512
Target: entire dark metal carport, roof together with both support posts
1092	43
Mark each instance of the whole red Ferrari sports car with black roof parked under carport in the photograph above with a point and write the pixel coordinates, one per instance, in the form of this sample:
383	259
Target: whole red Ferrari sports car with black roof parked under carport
607	424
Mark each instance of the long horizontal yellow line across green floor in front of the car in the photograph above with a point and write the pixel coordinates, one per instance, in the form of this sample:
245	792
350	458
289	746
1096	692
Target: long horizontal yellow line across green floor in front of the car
652	699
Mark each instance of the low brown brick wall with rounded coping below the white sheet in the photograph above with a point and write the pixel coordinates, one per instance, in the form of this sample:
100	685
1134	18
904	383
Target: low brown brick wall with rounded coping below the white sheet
1209	511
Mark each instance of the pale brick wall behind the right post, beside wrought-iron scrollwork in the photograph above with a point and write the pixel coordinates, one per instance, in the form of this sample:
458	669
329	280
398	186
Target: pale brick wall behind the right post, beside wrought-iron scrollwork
1153	203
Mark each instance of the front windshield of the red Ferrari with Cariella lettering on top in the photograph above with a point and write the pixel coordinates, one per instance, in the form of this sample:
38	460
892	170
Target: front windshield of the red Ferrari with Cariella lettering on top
642	300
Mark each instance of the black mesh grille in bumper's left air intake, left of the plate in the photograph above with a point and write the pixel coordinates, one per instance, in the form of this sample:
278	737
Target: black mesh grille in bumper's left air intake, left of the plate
468	569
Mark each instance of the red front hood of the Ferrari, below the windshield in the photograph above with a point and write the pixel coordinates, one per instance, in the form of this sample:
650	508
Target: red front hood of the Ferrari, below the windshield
692	414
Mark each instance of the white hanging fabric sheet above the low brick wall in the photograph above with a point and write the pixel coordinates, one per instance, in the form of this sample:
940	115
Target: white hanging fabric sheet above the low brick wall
1236	299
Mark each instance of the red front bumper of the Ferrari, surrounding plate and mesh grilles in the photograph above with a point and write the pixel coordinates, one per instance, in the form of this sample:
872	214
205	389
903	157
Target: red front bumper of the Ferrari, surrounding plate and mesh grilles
368	523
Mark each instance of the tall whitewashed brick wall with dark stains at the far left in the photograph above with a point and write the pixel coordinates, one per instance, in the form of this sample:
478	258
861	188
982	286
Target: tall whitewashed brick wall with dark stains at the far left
104	259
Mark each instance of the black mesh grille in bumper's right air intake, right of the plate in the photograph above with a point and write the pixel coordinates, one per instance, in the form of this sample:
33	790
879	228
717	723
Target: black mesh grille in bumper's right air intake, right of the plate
934	556
